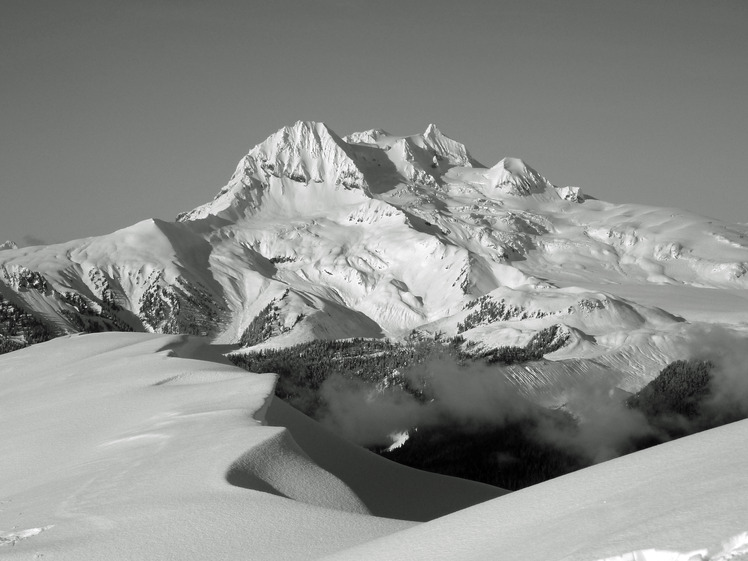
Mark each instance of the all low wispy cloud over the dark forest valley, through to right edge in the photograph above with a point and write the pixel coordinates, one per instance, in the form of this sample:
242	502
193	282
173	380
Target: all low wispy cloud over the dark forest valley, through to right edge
445	392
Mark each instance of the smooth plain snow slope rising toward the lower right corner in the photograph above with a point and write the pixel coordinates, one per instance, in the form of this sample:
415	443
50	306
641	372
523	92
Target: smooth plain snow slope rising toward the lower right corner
681	501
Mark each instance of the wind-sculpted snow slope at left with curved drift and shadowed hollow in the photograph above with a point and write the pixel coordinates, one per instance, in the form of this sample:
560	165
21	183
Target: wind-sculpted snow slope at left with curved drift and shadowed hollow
138	446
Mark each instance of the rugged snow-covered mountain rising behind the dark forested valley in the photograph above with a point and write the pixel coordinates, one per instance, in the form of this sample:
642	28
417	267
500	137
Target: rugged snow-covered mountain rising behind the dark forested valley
317	236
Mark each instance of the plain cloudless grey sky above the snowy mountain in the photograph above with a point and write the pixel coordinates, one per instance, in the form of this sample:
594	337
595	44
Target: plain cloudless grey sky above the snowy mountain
117	111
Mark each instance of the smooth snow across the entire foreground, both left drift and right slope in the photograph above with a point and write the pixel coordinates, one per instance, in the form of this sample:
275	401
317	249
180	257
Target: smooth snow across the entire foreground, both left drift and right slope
139	446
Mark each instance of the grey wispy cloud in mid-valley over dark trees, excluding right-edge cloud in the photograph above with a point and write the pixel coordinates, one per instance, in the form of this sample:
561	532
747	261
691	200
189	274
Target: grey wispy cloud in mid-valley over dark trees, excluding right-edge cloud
474	395
